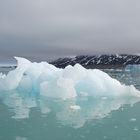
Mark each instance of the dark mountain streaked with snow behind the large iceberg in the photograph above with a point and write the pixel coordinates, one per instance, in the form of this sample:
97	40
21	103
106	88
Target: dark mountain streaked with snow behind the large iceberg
98	61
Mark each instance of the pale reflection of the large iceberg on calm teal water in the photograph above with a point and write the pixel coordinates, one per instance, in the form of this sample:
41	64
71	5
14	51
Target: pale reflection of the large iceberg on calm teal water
73	112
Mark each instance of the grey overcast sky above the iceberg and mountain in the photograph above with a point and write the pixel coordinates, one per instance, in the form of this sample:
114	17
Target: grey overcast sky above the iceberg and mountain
42	29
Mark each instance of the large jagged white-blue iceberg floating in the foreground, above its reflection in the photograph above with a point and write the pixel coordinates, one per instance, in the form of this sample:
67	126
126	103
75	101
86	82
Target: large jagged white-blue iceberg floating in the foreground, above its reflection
47	80
